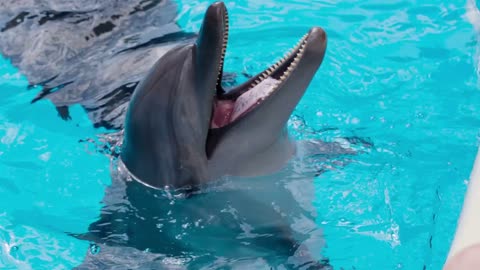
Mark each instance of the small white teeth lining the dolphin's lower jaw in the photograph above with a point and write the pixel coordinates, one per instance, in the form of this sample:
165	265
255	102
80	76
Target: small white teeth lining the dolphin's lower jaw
299	49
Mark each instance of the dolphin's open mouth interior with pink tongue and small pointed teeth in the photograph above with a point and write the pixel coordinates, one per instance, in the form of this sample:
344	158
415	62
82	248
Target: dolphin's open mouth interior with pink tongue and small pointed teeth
239	101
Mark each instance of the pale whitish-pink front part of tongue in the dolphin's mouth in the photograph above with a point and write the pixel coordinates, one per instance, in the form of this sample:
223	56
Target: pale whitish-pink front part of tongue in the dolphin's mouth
254	95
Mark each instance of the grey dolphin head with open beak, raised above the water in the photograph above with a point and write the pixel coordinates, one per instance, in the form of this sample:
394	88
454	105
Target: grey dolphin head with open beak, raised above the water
180	118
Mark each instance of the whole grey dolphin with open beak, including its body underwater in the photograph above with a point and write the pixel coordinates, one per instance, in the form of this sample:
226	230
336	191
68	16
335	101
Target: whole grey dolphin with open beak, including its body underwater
205	166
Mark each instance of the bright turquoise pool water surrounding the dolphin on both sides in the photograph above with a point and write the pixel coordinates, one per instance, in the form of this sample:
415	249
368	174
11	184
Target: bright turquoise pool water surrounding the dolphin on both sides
400	75
